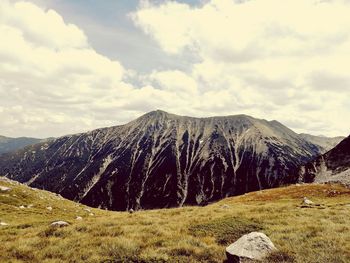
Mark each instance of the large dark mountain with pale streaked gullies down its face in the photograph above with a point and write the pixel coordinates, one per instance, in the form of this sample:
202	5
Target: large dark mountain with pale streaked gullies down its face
163	160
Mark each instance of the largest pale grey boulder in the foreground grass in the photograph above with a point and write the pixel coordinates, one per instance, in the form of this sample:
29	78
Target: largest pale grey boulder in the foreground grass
253	246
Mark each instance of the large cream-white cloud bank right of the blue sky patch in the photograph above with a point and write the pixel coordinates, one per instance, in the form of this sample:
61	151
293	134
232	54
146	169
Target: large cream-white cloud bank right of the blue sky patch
285	60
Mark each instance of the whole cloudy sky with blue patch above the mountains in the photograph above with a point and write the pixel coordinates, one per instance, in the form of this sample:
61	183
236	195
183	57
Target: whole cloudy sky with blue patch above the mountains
69	66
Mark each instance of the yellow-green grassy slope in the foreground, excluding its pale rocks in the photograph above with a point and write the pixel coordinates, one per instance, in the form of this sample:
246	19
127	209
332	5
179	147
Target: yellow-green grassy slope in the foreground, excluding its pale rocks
188	234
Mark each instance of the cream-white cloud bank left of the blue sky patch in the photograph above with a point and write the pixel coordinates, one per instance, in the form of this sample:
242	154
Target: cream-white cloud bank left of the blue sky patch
52	82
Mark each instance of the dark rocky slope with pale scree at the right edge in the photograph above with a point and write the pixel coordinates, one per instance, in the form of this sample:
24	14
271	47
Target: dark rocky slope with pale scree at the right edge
333	166
